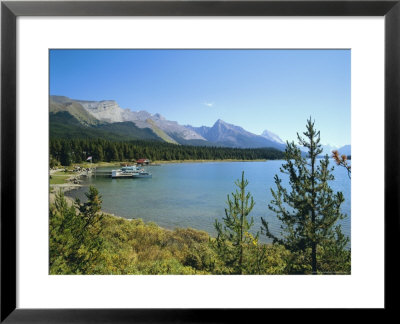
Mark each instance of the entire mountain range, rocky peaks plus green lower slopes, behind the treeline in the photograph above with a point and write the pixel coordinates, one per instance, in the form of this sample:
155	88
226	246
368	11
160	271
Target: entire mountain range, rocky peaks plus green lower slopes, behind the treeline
70	118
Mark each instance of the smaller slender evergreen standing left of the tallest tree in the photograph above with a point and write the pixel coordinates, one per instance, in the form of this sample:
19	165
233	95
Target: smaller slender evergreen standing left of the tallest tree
233	239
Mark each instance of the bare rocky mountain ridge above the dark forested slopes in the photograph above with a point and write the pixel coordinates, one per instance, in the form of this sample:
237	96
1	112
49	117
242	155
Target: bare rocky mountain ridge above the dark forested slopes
107	114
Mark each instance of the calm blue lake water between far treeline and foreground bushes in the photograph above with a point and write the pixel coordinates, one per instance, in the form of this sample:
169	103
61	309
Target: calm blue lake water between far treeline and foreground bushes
195	194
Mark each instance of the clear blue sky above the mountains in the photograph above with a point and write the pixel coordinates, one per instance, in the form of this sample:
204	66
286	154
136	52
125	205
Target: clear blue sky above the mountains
255	89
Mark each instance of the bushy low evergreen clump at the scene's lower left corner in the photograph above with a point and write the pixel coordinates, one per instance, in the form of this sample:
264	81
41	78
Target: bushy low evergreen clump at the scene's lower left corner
75	243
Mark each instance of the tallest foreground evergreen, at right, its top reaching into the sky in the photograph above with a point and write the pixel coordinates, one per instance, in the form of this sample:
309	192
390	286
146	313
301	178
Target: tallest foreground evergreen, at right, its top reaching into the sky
310	210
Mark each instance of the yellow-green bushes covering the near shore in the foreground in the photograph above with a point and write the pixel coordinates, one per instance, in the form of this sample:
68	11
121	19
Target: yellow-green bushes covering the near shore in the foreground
83	240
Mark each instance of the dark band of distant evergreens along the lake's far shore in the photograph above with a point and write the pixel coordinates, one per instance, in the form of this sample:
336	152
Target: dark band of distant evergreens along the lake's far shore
67	151
